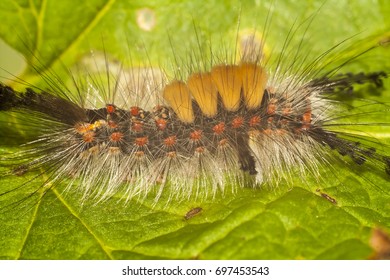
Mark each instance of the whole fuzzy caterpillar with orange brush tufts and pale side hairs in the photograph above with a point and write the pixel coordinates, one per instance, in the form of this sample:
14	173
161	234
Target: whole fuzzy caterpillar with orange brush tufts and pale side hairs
245	122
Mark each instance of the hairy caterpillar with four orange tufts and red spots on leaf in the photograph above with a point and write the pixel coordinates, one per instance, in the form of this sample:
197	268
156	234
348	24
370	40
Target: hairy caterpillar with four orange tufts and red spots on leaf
231	121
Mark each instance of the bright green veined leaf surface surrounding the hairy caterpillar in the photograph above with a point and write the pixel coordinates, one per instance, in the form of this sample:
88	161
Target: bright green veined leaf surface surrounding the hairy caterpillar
288	222
